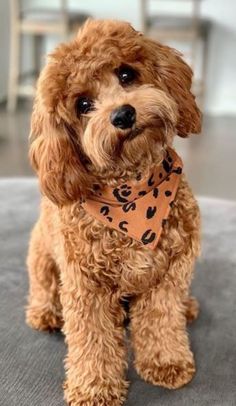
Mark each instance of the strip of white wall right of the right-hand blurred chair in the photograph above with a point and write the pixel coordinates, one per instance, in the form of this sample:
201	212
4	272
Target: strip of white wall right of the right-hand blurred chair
221	97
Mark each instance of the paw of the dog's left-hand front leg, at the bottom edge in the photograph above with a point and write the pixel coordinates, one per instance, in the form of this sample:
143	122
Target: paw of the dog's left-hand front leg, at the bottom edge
107	396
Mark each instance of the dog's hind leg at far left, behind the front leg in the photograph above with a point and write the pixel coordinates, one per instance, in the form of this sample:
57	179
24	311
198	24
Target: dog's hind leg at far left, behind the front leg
44	308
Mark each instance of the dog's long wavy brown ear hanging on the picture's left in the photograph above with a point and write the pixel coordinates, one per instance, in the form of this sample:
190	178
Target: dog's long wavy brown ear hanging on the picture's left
56	158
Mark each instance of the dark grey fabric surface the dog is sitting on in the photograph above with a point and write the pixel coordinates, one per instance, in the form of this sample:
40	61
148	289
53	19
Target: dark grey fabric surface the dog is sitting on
31	363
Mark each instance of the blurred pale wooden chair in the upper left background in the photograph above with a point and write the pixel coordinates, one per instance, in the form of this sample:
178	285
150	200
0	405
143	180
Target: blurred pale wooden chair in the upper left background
37	23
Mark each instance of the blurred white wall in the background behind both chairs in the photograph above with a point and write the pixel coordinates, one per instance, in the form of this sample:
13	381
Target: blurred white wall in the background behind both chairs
221	93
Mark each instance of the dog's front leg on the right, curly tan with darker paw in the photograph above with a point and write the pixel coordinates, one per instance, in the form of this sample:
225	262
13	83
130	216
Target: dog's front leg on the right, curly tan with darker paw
160	340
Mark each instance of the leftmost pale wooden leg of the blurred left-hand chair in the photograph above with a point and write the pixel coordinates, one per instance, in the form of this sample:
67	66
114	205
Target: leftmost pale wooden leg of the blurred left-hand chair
14	68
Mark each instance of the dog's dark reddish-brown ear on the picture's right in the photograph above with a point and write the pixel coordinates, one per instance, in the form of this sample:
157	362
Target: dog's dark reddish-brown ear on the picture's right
173	75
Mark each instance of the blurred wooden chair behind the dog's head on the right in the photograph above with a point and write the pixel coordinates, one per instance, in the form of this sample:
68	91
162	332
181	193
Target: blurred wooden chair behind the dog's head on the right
188	28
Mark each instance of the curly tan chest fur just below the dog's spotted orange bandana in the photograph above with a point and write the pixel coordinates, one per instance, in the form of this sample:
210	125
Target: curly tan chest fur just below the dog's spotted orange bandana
107	258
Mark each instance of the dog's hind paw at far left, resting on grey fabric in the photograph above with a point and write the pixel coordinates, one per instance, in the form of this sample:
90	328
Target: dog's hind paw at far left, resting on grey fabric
43	319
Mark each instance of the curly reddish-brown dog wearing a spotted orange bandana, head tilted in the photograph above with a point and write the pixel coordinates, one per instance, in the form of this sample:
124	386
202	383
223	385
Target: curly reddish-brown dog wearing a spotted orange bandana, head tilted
107	108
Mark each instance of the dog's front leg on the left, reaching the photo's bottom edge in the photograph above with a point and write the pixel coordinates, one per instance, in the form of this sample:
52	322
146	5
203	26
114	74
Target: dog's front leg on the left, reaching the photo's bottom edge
95	364
